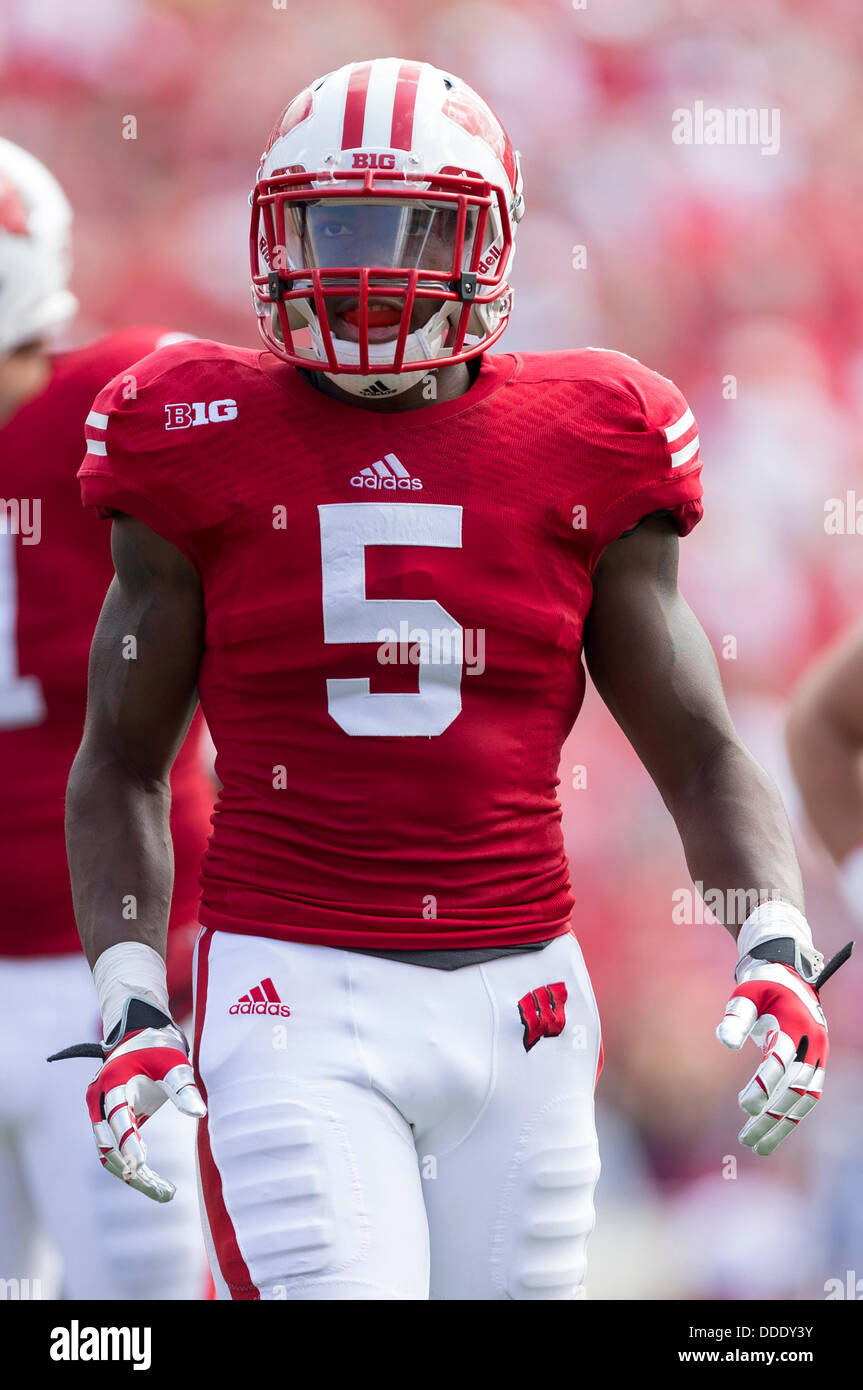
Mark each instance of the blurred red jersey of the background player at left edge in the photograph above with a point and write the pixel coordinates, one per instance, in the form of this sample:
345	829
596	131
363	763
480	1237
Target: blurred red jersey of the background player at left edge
55	571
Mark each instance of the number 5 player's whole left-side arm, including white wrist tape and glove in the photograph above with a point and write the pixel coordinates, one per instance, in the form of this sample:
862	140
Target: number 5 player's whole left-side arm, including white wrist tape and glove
142	694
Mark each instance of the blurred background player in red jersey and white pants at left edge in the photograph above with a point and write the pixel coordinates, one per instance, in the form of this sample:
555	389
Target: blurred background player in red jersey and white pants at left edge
55	572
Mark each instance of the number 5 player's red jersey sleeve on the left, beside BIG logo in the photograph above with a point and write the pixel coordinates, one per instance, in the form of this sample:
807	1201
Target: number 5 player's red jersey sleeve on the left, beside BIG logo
135	464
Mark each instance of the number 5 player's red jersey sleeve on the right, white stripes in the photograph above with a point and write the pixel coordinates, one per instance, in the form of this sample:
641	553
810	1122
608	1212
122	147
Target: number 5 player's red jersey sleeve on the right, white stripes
654	455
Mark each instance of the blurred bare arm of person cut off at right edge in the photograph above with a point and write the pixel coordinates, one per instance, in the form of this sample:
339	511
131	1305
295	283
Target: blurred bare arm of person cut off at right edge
826	746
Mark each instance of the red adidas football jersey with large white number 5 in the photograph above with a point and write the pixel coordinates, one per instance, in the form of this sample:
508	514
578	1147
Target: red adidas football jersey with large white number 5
395	610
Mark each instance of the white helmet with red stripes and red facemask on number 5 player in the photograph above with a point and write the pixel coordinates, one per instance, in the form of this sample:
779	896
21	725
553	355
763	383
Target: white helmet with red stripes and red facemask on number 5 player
384	222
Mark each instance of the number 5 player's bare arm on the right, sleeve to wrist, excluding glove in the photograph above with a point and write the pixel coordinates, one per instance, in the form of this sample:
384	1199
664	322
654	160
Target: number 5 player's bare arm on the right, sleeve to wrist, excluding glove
654	667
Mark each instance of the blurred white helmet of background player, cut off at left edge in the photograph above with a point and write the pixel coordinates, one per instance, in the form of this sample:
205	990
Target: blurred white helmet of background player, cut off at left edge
35	262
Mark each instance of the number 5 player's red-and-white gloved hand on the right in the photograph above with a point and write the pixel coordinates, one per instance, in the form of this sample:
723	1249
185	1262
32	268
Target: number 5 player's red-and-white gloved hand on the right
782	1013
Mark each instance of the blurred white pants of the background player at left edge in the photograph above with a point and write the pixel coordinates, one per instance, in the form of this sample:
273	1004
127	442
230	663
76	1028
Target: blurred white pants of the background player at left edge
112	1242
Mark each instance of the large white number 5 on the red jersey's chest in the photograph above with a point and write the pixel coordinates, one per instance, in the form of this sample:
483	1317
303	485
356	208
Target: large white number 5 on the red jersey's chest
347	529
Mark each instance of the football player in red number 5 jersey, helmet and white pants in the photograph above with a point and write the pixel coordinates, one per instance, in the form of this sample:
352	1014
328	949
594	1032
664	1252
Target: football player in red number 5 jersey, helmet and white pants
380	553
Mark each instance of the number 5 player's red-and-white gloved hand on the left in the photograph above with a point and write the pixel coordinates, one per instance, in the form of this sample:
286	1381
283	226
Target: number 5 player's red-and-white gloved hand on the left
145	1064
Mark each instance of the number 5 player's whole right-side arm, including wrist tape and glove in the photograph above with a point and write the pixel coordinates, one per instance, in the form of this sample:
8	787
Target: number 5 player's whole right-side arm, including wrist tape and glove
654	667
